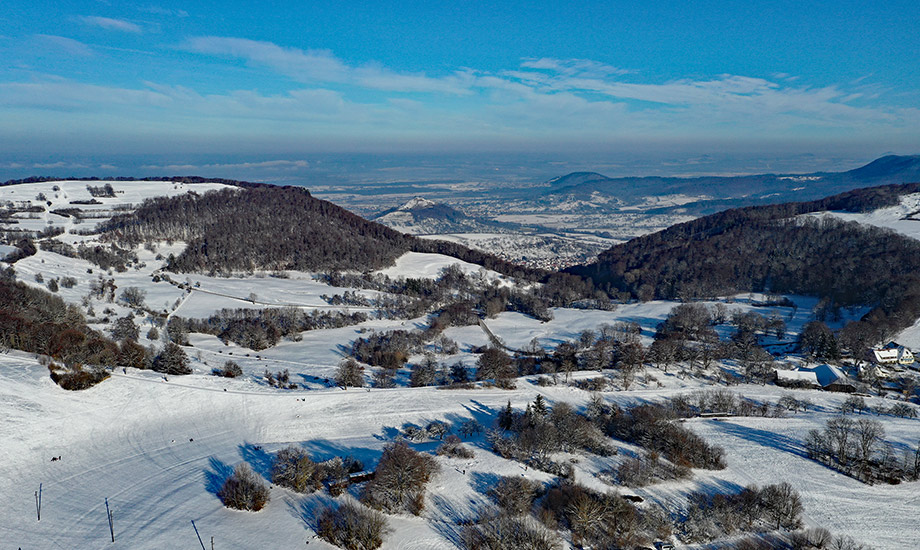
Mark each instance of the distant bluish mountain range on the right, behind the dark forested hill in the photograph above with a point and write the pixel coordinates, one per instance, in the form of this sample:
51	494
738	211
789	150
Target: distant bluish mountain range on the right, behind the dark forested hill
714	193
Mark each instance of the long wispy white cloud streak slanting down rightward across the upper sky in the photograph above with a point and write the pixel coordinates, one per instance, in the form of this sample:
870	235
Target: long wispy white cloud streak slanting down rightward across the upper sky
535	79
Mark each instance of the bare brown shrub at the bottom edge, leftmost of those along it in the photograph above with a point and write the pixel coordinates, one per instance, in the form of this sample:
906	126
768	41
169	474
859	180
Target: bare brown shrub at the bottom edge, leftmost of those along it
352	526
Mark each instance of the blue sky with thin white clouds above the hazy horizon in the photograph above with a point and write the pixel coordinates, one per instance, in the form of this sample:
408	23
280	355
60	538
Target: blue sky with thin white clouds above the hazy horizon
284	80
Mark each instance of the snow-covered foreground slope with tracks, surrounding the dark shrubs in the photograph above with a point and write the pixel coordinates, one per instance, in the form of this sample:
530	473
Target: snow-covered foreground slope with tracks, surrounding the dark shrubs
158	450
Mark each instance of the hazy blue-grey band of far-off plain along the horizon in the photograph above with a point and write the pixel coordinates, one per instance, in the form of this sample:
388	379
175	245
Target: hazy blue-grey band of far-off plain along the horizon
356	168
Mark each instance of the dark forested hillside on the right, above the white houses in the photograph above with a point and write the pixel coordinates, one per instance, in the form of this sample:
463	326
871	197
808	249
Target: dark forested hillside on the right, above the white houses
773	248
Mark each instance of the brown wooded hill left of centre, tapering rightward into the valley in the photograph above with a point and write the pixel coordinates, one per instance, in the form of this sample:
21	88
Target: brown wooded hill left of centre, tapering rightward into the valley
271	227
